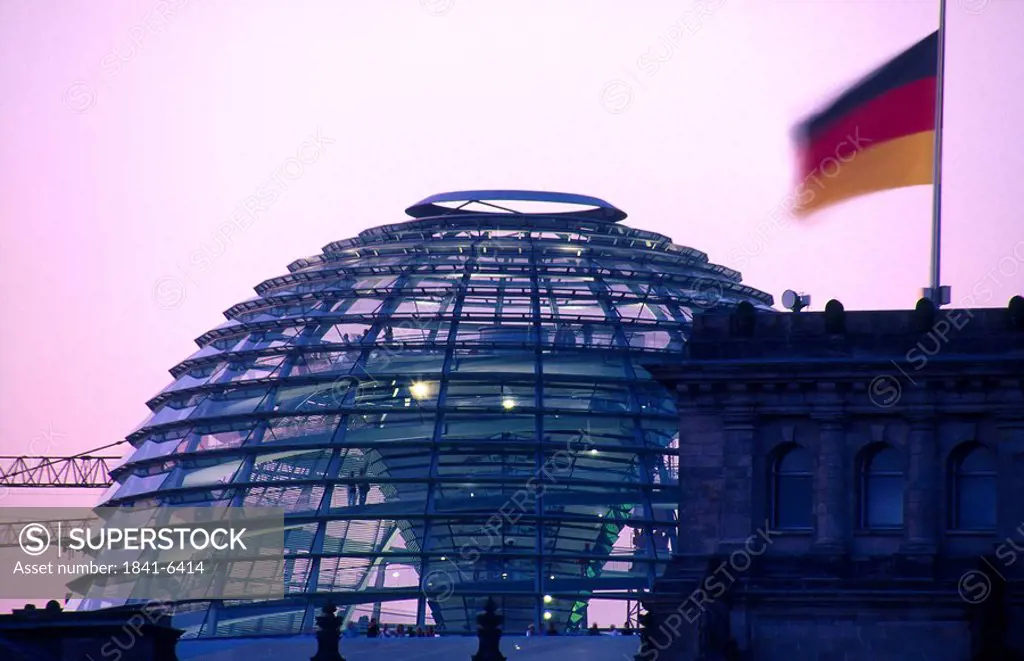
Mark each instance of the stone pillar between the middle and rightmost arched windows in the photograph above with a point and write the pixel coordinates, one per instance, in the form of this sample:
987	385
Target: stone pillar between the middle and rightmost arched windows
921	512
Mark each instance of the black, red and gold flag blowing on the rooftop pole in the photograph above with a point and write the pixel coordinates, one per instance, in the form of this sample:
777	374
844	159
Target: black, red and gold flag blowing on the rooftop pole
880	135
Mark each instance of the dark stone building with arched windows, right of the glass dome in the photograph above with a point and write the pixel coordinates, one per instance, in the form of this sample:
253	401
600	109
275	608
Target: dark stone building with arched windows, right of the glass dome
852	489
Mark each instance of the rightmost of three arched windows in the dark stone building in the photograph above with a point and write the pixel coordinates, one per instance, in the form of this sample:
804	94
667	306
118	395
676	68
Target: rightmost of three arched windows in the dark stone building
973	491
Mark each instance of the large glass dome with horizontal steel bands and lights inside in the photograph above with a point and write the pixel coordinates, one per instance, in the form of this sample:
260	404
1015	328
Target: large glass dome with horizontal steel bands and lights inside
448	409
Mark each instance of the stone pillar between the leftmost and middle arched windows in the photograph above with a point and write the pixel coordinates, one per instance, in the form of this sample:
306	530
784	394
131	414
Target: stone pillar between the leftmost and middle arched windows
832	489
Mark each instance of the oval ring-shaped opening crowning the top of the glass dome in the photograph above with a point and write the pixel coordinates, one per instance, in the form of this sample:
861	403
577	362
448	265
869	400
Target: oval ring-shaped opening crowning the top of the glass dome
528	203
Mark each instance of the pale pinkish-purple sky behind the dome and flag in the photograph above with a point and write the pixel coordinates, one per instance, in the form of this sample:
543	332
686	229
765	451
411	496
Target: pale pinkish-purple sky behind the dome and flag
130	142
